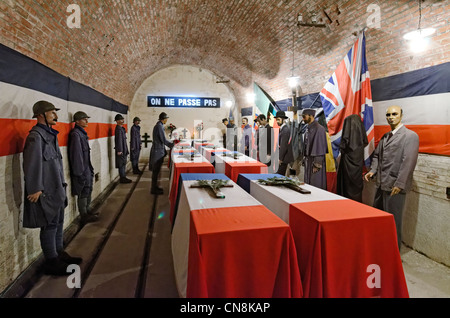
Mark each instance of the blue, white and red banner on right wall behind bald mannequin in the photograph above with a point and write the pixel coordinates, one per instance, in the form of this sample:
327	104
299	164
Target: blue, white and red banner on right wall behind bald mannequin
424	96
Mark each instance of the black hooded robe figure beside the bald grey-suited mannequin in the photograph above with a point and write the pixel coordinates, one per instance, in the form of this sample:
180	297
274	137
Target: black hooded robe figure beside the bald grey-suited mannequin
350	170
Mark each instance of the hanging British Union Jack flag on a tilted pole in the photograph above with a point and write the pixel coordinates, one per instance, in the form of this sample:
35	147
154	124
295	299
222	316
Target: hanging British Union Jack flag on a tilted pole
348	92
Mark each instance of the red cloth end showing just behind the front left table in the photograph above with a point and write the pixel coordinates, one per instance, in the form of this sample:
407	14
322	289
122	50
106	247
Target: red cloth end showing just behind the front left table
181	167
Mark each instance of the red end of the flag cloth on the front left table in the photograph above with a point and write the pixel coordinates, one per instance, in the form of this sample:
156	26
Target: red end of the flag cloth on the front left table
241	252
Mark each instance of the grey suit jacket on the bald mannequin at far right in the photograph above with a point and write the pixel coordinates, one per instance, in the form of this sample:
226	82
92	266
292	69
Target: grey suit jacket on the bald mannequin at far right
394	161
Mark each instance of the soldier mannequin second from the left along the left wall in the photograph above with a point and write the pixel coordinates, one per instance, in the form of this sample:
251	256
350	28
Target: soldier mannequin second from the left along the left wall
81	169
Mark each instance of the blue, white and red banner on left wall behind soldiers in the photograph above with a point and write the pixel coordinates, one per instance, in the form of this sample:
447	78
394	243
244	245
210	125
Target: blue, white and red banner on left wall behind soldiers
24	81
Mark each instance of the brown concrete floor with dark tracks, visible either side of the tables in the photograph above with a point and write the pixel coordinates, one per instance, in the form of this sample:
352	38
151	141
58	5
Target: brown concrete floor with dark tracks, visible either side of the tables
127	253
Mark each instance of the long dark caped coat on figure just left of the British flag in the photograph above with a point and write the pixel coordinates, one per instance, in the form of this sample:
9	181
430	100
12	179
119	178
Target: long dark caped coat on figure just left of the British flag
316	148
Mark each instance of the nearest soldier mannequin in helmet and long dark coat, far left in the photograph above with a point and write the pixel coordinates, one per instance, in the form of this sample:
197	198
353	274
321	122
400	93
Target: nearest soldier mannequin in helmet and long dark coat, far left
45	189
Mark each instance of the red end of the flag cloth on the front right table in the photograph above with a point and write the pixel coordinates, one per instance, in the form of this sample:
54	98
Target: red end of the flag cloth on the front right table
336	243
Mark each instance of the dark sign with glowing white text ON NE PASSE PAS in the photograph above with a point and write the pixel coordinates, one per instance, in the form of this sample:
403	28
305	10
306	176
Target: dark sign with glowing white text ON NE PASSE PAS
191	102
